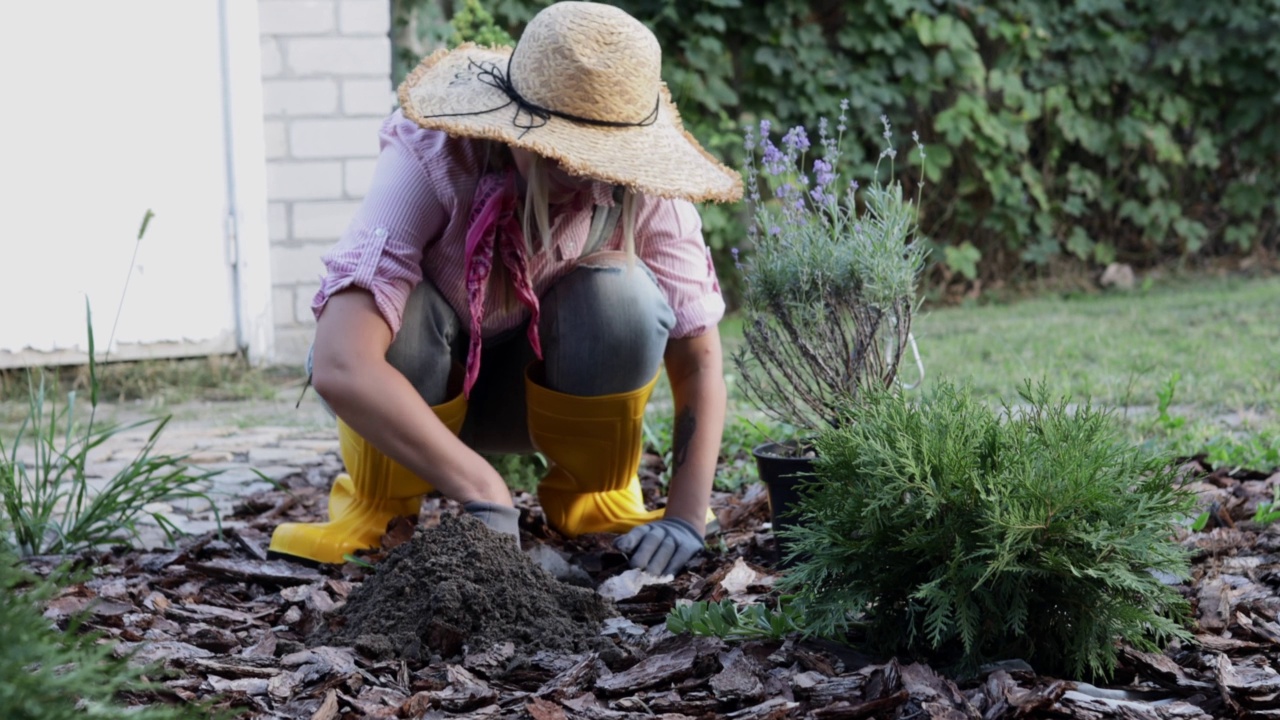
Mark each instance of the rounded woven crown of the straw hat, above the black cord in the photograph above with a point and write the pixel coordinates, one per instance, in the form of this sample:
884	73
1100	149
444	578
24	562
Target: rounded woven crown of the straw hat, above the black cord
589	61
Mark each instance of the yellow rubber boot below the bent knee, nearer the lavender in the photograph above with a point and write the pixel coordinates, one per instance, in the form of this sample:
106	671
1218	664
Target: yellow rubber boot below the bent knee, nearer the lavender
595	446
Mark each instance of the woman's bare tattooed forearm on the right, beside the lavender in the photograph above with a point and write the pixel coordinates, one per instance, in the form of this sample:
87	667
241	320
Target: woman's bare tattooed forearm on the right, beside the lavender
697	371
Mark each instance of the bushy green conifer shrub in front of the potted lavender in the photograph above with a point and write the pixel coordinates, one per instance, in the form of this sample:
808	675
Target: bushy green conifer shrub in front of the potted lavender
963	534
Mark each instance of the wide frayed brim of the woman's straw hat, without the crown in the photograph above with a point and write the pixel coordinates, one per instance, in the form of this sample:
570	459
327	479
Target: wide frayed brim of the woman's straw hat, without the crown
446	93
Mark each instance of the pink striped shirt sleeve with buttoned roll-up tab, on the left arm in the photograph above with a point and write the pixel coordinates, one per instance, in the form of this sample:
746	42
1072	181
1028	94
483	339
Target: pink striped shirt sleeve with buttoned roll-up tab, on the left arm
382	249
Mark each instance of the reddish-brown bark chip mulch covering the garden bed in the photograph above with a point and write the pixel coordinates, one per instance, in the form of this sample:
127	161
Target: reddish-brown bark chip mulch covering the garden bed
239	630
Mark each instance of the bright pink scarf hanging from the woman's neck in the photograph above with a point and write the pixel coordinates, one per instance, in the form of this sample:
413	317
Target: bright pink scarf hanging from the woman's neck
495	226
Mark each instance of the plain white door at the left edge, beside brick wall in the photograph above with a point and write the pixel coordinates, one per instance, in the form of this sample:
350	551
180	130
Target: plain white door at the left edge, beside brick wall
111	110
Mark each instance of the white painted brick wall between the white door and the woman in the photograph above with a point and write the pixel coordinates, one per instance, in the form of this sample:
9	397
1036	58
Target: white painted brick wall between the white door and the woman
327	69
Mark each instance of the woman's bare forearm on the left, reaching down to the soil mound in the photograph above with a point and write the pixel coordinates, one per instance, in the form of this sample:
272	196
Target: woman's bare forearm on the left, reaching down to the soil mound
353	375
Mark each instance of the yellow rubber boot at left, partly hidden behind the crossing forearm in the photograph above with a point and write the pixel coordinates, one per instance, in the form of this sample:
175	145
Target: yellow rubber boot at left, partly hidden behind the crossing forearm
374	490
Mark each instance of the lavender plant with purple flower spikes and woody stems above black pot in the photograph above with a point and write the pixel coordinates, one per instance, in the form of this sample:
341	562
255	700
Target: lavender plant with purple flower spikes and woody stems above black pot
831	285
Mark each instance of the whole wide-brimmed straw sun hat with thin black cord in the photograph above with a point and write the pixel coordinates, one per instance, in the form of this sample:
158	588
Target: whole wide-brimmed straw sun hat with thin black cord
583	88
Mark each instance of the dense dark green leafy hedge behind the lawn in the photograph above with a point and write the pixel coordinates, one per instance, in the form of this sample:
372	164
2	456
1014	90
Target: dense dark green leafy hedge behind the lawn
1099	130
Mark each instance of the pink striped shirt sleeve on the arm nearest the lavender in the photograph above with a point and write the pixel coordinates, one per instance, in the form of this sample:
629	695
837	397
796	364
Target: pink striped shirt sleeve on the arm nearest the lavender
670	241
